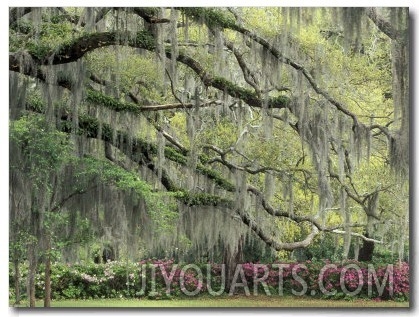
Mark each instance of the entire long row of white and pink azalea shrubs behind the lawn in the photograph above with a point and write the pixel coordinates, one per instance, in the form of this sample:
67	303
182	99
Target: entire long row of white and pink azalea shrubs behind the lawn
164	279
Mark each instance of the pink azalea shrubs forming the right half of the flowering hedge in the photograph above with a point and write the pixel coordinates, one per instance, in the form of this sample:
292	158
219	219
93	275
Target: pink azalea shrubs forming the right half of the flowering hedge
345	280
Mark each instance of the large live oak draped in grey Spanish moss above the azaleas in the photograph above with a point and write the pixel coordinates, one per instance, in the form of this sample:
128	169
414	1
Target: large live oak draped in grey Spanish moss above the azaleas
203	128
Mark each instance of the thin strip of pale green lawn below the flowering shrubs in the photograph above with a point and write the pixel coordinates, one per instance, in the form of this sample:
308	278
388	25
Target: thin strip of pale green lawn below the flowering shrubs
227	301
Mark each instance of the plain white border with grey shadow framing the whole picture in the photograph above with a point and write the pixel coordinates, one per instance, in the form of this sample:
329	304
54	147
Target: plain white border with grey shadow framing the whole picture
4	115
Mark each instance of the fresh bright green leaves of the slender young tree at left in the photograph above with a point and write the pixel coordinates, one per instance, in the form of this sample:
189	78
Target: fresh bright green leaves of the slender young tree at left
48	150
